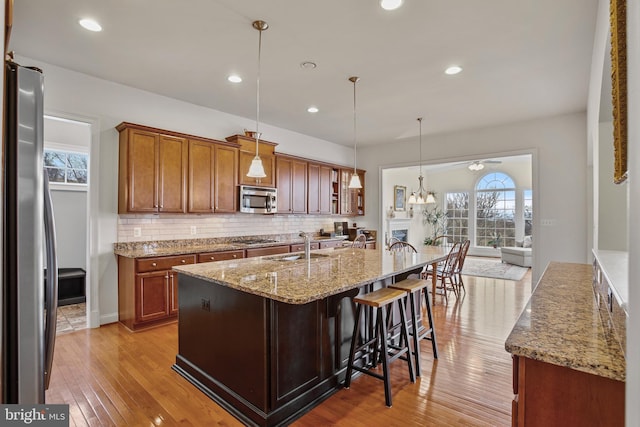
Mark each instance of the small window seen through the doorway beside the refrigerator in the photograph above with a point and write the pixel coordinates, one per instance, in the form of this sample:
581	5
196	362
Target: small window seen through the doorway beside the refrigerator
66	167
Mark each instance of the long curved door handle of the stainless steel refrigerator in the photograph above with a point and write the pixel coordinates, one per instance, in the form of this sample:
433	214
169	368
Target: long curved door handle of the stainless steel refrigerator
51	291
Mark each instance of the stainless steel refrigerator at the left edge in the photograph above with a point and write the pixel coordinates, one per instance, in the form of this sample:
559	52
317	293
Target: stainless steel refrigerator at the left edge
28	235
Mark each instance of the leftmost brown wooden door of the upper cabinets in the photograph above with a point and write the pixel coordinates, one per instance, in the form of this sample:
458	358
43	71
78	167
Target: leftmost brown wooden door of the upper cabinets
142	165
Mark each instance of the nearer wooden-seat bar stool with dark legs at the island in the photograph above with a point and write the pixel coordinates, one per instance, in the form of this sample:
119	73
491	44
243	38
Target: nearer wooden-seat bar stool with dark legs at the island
377	347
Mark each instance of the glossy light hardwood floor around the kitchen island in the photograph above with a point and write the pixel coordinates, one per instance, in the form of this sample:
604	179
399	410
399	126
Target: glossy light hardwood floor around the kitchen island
110	376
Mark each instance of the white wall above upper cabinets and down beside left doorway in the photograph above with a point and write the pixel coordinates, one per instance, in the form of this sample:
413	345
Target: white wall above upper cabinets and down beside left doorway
72	94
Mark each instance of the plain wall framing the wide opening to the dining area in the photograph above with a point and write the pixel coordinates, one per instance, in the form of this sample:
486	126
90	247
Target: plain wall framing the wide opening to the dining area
559	173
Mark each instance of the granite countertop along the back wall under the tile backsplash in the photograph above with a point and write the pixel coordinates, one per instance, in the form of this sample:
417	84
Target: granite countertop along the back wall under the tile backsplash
193	246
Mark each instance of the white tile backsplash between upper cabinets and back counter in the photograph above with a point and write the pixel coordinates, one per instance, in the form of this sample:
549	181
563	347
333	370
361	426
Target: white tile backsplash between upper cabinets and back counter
133	228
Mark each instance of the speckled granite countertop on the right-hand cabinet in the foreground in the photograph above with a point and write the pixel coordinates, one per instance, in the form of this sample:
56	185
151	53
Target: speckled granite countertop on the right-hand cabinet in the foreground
561	325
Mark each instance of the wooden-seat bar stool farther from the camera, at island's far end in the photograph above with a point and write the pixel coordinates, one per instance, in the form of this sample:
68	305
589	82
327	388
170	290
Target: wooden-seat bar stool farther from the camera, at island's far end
418	331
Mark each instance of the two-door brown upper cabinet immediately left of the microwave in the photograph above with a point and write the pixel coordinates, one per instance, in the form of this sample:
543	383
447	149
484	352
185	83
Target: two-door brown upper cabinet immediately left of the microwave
213	171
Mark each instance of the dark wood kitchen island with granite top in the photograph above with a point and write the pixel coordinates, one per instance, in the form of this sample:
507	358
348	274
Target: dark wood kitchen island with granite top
268	338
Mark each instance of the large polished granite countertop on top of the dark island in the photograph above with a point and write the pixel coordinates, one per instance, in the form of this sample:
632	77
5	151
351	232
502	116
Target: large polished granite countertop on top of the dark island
300	281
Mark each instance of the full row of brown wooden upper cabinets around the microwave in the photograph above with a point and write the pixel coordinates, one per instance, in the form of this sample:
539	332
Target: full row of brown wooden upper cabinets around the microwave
164	171
